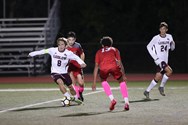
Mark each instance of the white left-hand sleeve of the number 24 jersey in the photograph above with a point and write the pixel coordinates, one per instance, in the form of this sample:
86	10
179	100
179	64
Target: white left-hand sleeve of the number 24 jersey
151	48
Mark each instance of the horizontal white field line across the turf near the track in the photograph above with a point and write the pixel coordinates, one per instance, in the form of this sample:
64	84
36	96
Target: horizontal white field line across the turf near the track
56	89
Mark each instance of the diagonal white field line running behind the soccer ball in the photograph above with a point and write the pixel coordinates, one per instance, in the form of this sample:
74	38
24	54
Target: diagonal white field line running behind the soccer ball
41	103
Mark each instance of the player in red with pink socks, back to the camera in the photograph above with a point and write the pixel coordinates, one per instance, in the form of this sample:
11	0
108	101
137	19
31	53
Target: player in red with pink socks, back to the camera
108	60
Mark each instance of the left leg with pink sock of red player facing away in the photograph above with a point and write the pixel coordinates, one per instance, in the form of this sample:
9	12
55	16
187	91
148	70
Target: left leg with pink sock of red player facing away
107	89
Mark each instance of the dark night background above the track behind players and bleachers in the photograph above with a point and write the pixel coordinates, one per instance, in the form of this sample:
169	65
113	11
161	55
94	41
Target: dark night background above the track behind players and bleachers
131	24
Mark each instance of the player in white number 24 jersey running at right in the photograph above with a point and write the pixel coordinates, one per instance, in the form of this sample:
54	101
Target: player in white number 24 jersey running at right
158	48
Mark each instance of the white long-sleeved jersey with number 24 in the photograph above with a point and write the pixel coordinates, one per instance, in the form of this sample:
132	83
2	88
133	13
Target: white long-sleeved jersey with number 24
159	47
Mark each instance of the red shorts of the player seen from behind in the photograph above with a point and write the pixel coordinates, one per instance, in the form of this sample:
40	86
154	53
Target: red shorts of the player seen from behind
115	72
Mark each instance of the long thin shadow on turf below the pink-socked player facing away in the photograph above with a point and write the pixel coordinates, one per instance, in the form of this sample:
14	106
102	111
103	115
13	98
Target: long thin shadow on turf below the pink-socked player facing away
90	113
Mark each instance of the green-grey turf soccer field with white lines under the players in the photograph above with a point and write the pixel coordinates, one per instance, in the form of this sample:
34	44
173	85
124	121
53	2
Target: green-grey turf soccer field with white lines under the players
39	104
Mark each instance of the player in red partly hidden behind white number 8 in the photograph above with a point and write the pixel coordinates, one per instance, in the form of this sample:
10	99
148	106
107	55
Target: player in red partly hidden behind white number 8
76	73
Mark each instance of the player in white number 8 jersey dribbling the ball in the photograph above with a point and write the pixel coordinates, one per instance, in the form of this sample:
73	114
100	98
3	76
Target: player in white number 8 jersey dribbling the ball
60	57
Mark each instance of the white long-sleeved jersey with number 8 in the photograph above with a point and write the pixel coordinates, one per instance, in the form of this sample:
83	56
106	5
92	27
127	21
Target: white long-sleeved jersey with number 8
59	60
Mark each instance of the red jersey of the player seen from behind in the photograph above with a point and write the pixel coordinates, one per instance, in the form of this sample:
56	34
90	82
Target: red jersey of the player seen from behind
107	57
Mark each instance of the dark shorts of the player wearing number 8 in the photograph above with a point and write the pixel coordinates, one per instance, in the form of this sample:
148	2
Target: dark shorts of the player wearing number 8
65	77
